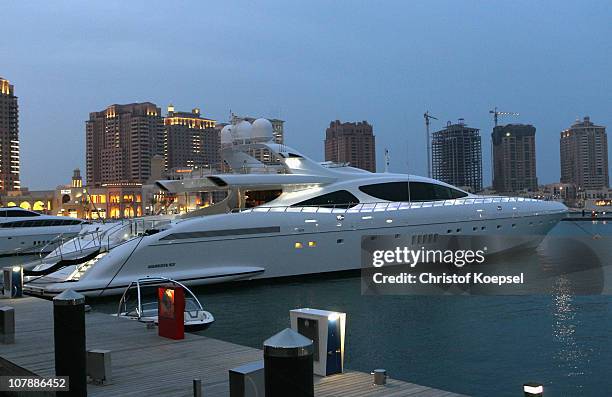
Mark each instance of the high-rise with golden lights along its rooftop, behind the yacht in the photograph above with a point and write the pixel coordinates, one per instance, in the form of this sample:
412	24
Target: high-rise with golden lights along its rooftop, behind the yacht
191	141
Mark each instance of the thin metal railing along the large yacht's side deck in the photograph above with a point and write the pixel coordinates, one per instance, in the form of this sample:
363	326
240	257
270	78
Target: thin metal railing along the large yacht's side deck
383	206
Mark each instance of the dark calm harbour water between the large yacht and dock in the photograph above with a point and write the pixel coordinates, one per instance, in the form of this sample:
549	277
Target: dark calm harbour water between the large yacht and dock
476	345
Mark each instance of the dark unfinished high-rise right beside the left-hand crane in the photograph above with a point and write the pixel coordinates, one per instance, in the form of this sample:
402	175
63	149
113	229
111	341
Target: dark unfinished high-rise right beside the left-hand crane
457	156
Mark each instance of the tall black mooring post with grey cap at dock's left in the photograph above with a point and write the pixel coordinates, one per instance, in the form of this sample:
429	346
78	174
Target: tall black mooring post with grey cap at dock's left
69	338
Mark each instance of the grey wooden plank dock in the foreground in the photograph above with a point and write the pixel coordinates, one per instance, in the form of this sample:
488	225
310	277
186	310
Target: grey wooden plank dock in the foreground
143	364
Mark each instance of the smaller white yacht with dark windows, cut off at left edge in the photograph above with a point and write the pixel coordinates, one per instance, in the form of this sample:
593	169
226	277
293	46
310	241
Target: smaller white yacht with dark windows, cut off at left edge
25	232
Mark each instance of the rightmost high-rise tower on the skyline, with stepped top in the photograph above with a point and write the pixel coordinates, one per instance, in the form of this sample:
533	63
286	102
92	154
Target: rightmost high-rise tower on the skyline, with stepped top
584	155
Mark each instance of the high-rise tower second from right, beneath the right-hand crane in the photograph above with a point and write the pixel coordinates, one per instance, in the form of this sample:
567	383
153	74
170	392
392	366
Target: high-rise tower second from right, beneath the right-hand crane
514	163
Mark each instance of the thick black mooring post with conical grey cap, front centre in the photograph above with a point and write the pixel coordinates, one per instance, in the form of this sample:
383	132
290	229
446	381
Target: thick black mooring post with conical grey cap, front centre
288	365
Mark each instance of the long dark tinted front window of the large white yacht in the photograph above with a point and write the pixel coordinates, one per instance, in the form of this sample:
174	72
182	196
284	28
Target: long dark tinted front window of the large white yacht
419	191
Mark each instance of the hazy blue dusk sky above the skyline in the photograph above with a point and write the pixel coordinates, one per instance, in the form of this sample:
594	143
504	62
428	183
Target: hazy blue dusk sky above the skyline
308	62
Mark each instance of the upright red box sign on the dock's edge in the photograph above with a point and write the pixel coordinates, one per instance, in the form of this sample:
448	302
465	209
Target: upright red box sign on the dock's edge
171	312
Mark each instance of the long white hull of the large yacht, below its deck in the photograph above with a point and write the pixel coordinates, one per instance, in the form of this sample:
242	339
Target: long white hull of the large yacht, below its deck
273	245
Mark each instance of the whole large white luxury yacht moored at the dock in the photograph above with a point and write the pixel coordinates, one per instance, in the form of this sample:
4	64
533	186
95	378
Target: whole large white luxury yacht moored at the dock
298	217
